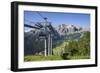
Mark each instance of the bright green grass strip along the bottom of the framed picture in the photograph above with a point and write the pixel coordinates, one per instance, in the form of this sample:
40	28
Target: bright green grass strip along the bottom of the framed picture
49	58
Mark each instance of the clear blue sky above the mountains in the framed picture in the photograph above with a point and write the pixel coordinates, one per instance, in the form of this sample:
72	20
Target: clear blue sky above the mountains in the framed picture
56	18
